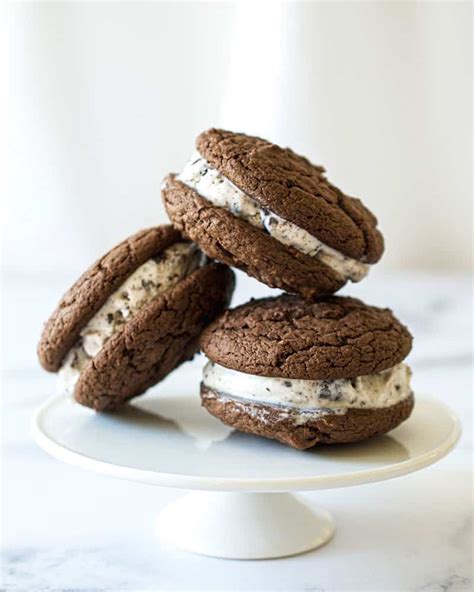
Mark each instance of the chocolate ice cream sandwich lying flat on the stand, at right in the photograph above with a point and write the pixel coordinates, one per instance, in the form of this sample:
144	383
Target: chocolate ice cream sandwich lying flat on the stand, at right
303	373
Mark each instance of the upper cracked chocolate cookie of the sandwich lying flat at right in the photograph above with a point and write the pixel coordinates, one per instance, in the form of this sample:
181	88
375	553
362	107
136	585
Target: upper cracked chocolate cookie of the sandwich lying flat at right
287	337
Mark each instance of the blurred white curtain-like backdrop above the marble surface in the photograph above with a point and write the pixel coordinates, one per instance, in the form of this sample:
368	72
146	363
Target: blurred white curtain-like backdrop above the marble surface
106	98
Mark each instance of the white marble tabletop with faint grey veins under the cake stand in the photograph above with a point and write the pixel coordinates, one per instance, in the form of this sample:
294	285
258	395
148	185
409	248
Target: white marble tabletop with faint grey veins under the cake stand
67	529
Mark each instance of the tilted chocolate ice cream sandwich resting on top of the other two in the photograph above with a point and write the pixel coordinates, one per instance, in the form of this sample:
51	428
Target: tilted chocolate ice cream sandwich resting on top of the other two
273	214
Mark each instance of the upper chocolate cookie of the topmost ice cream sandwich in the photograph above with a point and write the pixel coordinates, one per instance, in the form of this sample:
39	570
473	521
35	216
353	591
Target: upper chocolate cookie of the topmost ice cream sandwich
295	189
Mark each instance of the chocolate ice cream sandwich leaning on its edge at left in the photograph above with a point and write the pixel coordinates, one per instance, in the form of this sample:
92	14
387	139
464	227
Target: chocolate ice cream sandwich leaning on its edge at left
133	317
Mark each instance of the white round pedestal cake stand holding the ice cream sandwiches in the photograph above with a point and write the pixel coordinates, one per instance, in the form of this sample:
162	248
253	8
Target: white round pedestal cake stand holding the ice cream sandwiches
243	509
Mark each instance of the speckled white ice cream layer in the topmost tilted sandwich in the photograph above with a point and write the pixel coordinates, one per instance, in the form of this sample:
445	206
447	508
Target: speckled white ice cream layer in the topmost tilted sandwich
216	188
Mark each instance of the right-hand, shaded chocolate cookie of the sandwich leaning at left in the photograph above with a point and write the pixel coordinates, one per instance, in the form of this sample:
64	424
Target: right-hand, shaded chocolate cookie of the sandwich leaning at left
154	342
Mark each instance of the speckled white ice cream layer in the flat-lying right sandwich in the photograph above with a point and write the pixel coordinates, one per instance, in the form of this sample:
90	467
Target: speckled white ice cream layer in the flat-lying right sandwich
316	397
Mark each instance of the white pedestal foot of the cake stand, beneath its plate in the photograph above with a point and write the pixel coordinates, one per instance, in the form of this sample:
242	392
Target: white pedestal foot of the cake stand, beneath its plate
243	525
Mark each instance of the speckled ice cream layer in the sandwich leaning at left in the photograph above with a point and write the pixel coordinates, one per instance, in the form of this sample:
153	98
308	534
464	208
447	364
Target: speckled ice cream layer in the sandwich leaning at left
151	279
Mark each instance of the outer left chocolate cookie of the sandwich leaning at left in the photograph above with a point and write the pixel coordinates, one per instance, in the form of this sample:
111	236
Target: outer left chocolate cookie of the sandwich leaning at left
89	293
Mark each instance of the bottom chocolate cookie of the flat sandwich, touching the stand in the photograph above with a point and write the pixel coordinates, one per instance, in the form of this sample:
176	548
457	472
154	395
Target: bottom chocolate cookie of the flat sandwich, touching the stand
294	429
